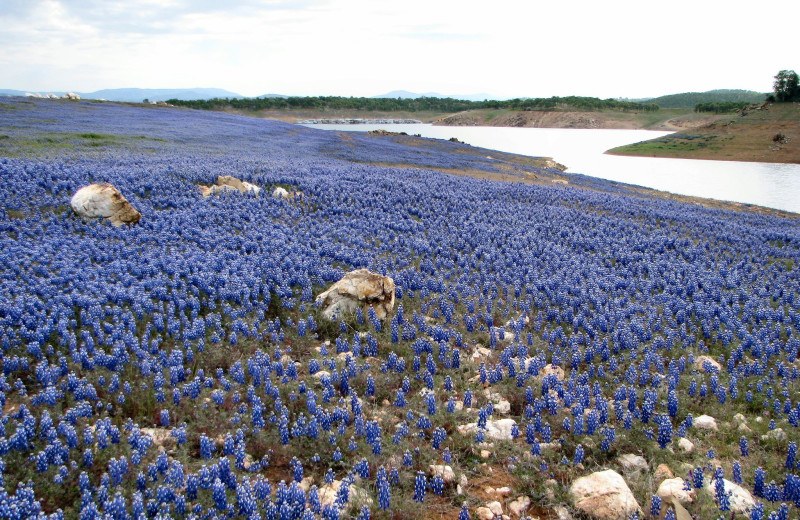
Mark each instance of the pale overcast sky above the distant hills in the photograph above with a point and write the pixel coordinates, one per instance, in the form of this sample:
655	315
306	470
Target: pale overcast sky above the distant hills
519	48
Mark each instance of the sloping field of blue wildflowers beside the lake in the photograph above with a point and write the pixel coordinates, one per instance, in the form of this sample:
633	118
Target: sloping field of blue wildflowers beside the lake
180	368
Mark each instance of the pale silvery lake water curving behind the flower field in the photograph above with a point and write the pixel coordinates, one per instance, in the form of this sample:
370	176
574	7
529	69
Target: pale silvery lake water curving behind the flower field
765	184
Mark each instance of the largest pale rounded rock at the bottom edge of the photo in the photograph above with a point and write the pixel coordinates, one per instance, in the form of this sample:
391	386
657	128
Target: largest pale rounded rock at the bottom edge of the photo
604	495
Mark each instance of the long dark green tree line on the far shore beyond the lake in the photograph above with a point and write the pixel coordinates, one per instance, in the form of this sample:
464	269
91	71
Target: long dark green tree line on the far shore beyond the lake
414	105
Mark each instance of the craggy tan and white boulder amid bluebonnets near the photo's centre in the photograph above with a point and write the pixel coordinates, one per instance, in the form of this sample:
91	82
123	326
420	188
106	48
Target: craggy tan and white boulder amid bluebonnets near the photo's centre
358	289
